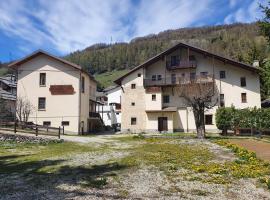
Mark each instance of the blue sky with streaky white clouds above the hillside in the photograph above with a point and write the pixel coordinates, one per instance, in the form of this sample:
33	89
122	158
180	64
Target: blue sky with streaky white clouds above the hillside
64	26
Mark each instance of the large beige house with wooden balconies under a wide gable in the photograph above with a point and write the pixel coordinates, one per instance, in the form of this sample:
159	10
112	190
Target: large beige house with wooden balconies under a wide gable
150	99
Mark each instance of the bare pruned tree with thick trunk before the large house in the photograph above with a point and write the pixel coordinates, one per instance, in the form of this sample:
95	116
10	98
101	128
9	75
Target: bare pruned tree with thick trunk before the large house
200	94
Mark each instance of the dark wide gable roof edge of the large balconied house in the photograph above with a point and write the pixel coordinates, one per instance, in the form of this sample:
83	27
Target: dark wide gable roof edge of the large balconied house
196	49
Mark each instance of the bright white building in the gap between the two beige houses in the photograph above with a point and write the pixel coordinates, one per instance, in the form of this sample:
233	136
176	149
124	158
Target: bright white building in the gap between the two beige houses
109	106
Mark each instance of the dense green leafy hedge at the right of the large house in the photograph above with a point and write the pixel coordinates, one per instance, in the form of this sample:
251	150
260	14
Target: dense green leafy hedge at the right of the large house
231	118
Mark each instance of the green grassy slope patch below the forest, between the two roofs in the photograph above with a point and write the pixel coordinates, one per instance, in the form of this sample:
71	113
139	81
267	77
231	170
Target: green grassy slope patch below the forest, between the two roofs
106	79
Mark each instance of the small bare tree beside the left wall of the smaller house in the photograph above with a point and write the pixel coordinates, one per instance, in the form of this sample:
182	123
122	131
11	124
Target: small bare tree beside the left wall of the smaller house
23	109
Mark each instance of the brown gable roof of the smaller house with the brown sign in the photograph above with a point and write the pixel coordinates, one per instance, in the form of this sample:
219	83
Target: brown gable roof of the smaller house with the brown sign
19	62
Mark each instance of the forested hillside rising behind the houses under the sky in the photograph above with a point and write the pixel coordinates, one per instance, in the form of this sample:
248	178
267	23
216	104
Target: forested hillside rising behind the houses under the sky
242	42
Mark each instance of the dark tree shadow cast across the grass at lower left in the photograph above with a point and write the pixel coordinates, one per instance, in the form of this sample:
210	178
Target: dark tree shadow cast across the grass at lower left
30	179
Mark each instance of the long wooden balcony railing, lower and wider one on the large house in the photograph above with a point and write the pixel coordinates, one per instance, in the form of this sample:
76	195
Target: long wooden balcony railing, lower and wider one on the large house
179	80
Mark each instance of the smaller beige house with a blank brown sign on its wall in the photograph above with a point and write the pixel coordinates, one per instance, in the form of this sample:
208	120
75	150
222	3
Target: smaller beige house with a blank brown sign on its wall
61	93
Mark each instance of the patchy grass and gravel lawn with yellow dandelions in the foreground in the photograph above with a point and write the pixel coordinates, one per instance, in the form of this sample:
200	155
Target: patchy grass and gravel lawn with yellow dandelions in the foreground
131	167
